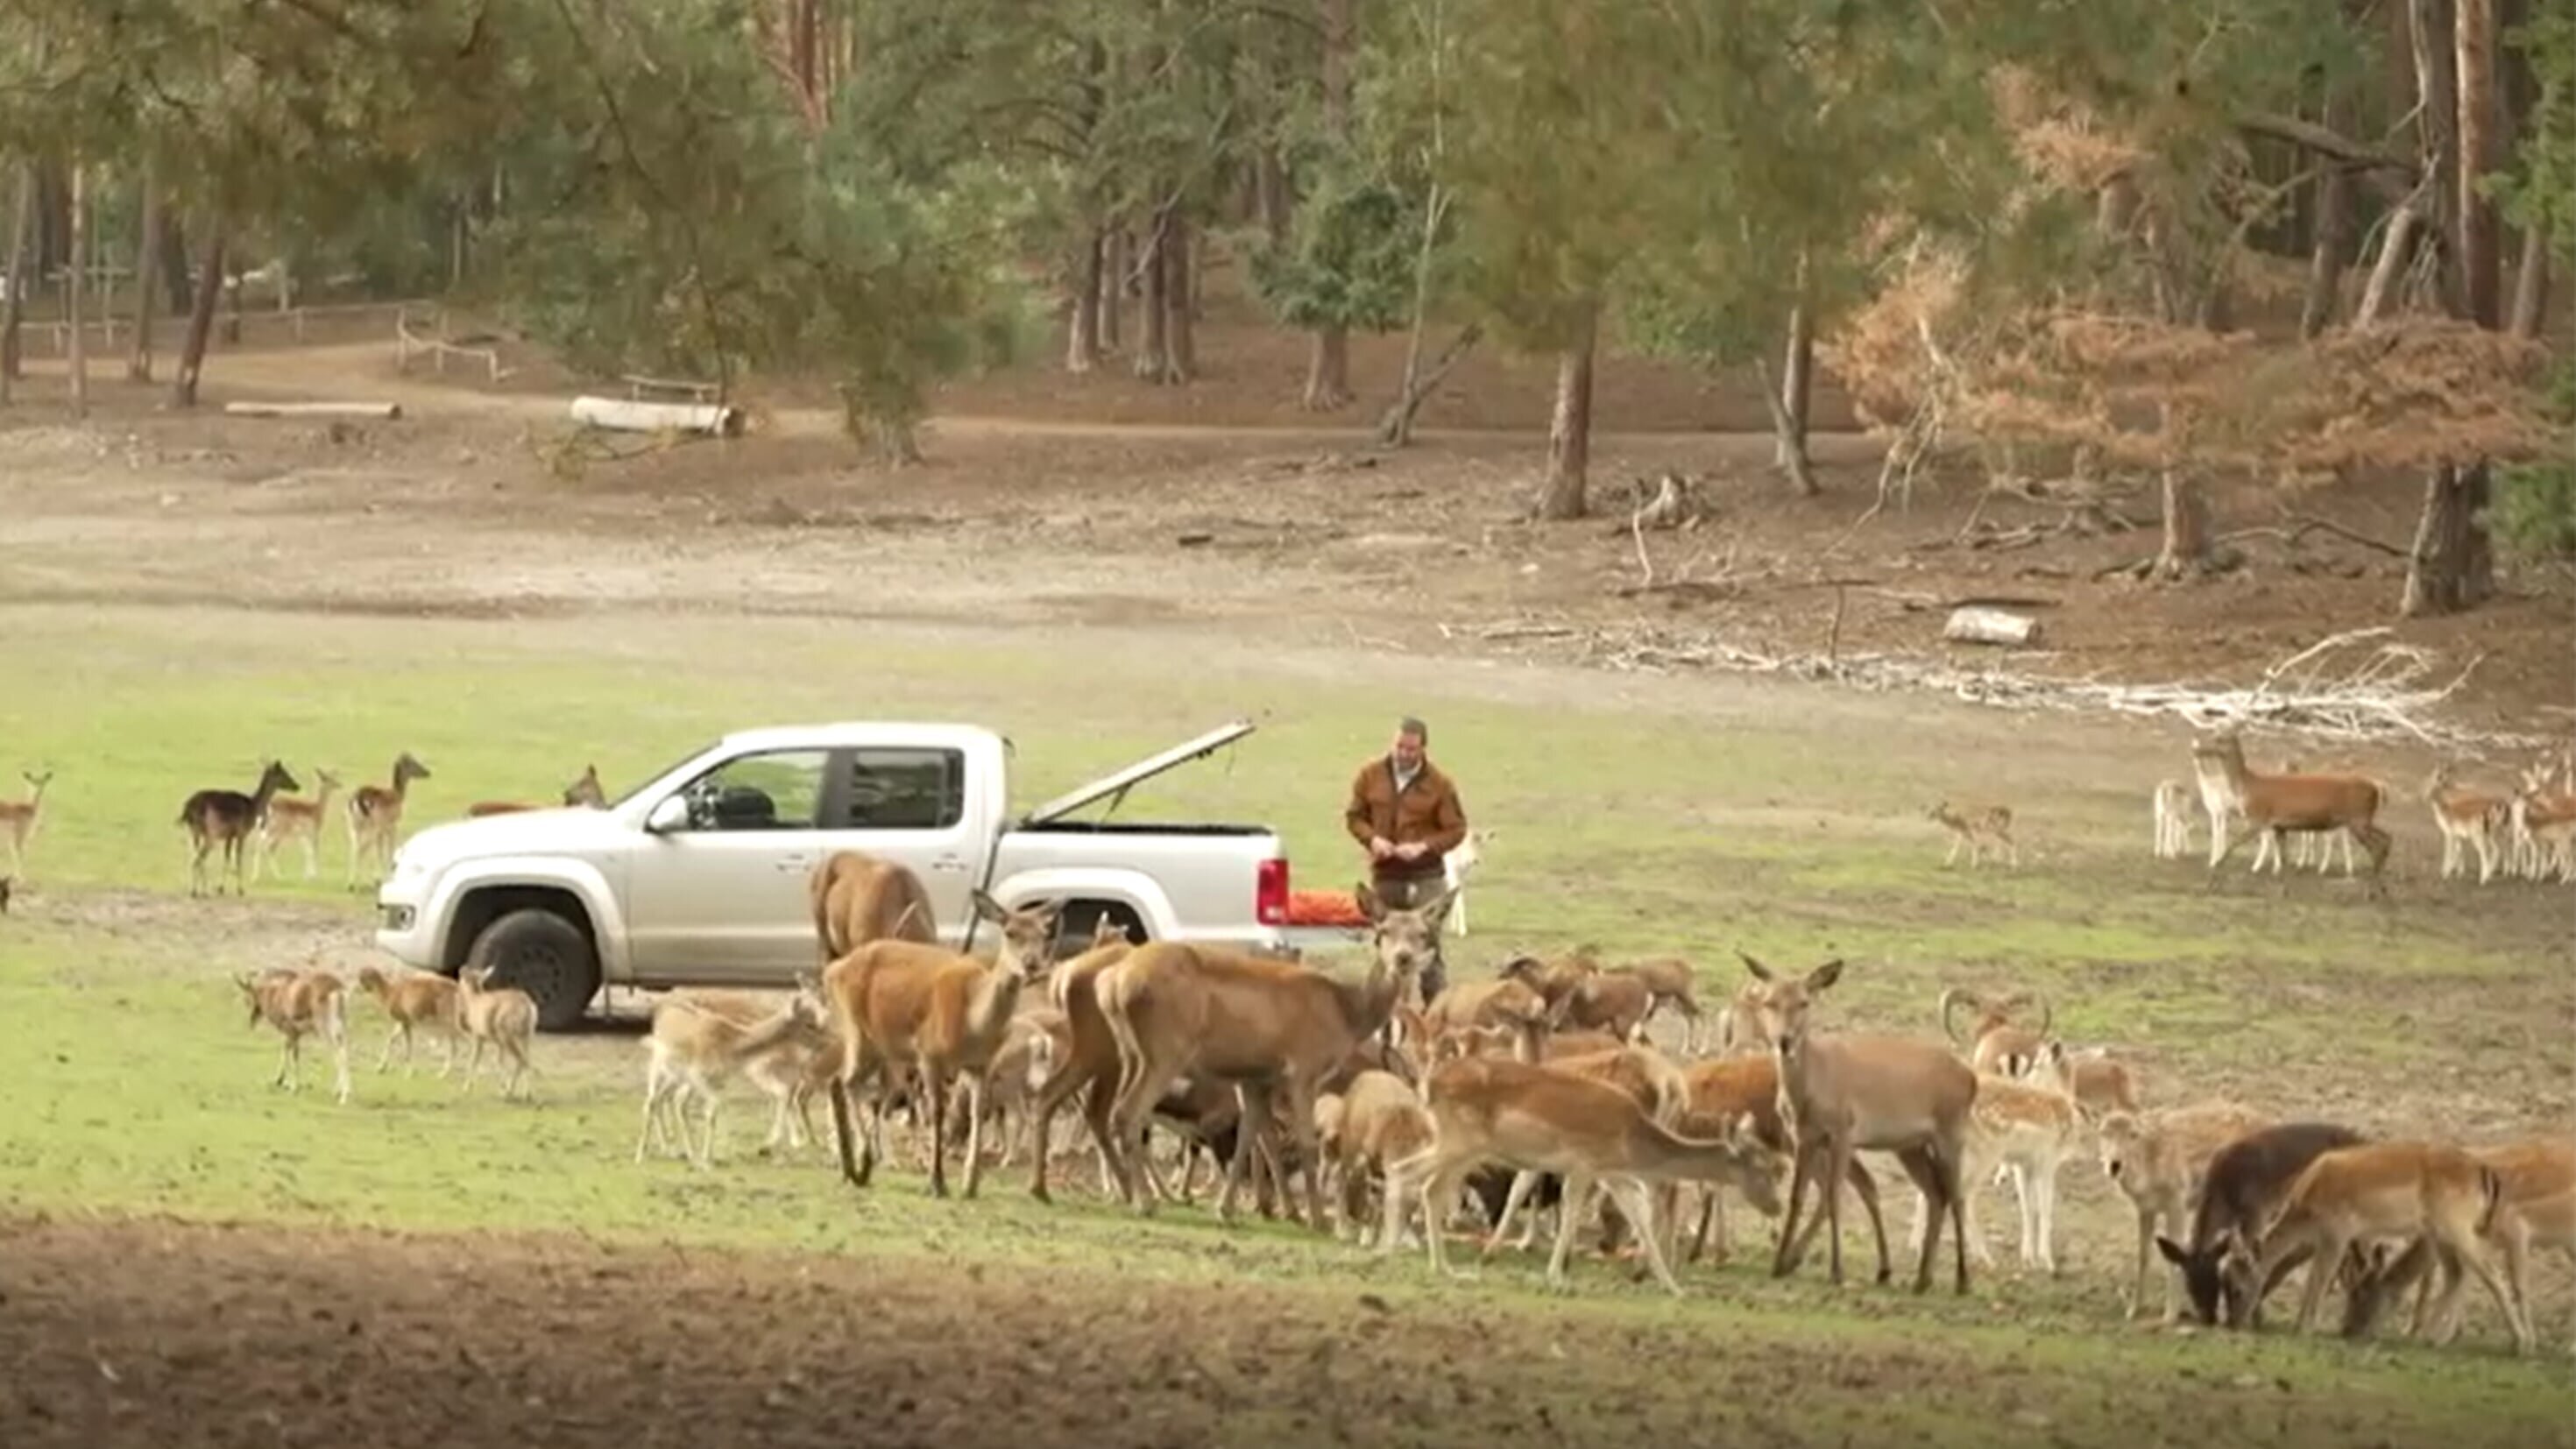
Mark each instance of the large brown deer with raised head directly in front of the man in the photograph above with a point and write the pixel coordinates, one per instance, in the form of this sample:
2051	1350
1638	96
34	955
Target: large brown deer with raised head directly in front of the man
1256	1023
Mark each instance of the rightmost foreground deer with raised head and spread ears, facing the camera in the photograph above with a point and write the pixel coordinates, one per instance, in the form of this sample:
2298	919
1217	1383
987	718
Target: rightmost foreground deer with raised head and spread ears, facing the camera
1864	1093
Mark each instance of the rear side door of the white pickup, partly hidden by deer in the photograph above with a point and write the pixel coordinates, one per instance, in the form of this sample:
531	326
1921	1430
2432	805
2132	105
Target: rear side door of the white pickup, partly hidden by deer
908	804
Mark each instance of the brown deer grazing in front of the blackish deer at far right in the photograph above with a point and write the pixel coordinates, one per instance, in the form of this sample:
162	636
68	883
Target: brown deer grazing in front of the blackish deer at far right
2376	1193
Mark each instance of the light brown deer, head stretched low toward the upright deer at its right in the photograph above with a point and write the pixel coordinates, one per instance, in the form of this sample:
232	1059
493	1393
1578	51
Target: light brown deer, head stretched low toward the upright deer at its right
1552	1121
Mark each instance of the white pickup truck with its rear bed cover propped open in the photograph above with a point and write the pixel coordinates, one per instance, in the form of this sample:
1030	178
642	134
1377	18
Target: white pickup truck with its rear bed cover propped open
699	874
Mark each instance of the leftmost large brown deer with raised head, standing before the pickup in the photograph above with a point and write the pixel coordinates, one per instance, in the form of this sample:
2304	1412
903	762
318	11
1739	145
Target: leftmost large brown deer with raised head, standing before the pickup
944	1015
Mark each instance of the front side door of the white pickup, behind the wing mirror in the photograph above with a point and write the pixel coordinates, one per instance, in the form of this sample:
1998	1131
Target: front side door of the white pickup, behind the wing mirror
723	897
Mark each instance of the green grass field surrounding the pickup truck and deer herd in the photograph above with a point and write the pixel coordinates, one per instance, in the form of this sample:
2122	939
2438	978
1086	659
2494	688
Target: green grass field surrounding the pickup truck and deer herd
1619	827
